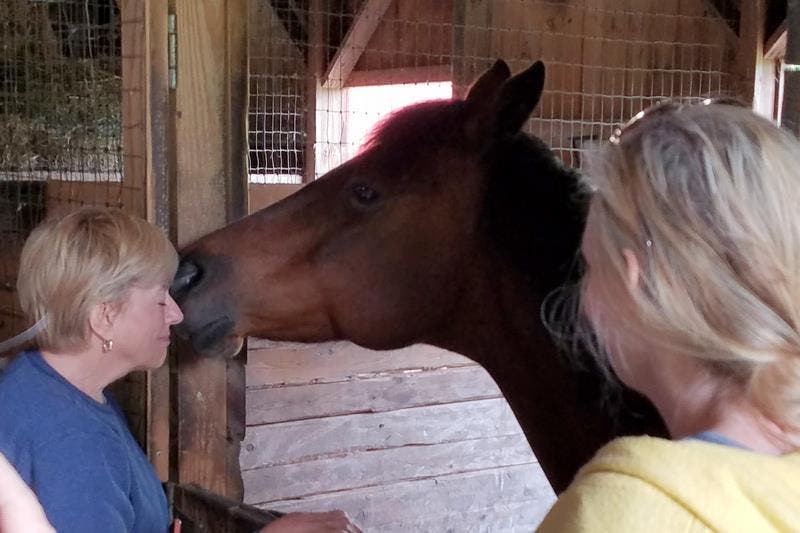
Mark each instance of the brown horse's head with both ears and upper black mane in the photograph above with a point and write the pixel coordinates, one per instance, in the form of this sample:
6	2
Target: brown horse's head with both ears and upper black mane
381	249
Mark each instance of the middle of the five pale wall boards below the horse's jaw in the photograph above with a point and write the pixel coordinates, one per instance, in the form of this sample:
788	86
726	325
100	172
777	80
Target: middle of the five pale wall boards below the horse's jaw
292	442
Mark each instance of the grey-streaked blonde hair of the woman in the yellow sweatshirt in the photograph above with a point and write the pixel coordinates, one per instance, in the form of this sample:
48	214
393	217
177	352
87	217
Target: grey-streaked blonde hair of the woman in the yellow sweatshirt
708	198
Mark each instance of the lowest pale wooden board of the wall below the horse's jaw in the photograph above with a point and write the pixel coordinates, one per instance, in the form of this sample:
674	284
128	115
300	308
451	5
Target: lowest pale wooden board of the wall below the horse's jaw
513	498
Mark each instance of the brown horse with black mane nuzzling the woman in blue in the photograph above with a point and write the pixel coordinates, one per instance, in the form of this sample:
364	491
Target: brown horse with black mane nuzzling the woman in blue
449	228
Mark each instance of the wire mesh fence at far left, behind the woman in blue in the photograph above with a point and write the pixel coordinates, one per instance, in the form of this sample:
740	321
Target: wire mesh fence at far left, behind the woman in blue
60	121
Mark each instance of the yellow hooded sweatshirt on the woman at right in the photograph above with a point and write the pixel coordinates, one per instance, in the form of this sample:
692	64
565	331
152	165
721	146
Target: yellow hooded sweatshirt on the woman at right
646	484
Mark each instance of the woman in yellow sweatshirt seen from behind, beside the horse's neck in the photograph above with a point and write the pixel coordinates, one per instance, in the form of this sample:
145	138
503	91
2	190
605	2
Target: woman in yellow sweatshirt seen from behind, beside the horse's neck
692	296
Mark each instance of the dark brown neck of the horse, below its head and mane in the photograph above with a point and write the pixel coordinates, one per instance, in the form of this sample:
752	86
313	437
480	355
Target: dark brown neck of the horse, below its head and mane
499	328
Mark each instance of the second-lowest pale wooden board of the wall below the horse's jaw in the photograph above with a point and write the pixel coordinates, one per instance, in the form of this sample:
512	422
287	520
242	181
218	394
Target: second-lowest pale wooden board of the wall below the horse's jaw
371	468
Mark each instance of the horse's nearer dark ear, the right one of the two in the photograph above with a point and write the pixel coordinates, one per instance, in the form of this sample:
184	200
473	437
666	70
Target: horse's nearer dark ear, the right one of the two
517	99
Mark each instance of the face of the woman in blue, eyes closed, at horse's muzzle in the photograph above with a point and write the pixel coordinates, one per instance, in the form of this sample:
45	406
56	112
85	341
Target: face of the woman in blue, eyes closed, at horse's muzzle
141	328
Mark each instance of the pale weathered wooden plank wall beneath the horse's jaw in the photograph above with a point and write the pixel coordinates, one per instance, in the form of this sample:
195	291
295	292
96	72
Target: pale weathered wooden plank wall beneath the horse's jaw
418	439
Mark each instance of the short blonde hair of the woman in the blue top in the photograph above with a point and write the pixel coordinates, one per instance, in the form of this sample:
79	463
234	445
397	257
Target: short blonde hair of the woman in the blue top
89	256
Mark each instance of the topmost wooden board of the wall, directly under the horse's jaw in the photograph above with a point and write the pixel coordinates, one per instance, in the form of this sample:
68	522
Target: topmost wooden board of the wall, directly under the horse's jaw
278	363
